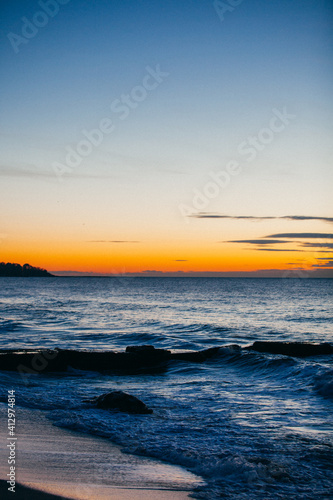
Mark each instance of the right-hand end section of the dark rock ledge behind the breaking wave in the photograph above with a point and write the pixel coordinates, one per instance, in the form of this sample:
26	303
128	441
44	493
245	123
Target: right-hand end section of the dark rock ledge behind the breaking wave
296	349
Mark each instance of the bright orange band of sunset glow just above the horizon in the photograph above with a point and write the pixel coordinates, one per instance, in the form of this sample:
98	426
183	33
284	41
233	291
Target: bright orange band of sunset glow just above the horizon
138	257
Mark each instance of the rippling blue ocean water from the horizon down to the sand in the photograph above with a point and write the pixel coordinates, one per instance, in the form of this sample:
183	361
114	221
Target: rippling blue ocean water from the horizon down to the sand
252	425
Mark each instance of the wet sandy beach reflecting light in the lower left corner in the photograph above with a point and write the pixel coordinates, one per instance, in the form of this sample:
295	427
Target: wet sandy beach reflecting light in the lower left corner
81	467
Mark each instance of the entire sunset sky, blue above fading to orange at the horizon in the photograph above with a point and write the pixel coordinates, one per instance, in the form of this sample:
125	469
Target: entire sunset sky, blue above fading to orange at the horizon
167	138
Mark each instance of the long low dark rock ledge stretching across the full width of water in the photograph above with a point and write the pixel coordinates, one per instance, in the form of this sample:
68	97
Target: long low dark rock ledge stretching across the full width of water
136	359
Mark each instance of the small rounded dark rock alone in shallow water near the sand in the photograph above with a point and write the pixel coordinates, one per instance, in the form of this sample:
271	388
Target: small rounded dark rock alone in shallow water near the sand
121	401
